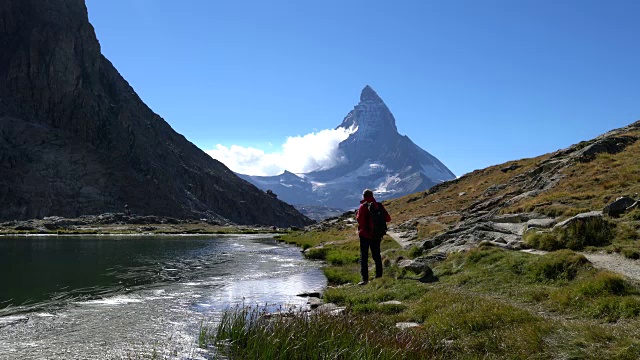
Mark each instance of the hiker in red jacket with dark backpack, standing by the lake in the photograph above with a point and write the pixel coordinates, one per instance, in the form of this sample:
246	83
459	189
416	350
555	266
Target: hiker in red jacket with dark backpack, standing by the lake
372	225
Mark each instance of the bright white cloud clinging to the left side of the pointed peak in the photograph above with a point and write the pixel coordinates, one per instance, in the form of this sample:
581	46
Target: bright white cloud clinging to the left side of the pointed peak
298	154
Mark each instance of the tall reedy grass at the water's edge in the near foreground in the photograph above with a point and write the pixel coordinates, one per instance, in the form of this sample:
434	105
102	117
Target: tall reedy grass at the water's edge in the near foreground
245	333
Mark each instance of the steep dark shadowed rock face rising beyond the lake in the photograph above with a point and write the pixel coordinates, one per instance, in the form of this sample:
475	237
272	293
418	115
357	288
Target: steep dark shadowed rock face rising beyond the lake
76	139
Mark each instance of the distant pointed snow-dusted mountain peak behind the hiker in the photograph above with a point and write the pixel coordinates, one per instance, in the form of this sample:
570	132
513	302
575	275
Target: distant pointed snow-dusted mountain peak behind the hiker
374	156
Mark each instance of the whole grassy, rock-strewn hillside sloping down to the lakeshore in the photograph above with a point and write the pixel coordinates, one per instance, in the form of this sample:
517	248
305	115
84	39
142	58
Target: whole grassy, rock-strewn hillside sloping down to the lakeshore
484	300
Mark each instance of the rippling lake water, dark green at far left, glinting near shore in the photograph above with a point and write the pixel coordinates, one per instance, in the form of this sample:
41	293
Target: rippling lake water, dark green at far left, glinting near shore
107	297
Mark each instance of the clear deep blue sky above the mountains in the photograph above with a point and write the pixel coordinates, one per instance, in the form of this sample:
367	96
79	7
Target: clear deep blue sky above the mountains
475	83
